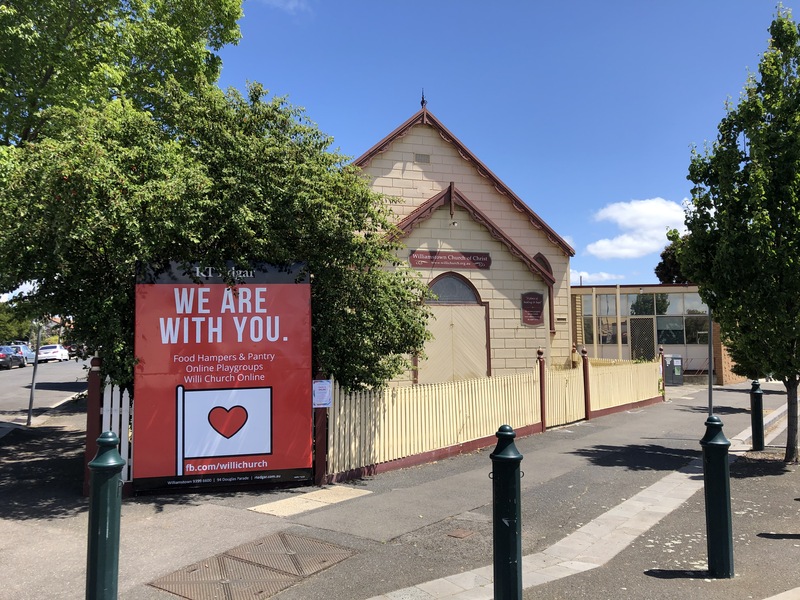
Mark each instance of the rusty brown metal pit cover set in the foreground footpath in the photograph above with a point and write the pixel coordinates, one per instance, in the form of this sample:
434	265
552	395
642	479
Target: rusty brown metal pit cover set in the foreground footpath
258	569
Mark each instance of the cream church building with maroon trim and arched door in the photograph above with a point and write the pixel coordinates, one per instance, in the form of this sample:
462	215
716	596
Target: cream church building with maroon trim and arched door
499	273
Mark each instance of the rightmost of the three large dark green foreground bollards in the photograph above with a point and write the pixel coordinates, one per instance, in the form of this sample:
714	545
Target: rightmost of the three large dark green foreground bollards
717	487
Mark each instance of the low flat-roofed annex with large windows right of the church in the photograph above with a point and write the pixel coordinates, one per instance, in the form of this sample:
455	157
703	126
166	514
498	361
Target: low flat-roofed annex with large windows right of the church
632	322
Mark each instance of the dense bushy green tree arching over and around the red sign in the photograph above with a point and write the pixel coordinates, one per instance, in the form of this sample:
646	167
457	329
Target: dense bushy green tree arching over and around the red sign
232	178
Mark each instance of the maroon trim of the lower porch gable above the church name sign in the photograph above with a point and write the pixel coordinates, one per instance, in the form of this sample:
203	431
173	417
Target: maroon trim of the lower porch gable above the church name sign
453	197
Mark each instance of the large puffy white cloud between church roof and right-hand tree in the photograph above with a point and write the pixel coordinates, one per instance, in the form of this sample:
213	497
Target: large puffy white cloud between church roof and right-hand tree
644	224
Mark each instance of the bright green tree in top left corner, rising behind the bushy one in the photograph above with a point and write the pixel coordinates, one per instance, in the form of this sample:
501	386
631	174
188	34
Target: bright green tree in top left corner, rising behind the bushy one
70	52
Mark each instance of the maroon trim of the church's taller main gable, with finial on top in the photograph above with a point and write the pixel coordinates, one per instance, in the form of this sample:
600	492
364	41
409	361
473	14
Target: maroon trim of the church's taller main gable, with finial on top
425	117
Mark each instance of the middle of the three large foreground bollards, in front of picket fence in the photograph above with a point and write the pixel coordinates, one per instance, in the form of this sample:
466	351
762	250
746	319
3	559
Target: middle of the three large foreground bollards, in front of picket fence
507	524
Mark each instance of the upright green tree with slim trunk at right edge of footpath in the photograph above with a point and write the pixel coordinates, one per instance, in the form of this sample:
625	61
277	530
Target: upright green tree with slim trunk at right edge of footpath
743	250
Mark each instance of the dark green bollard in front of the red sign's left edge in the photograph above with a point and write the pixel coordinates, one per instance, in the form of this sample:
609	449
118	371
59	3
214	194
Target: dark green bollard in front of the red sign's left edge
105	500
